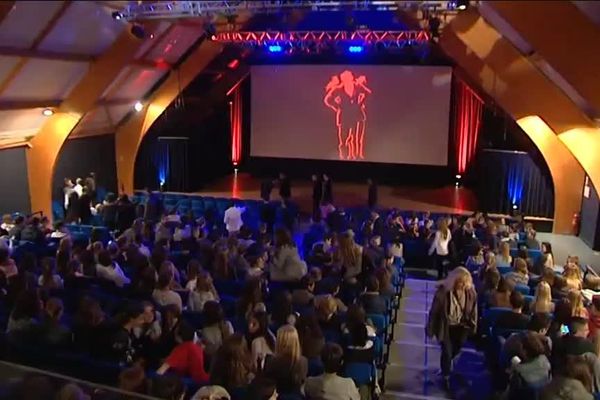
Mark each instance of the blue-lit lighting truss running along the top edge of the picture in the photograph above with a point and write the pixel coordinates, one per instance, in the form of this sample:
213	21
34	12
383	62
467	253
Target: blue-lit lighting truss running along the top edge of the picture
189	9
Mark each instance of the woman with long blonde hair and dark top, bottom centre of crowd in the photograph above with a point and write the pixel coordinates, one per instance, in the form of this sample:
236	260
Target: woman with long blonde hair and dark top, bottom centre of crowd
287	367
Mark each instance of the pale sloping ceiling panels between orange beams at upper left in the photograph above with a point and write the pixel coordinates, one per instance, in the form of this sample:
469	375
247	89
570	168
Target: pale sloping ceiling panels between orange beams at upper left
47	47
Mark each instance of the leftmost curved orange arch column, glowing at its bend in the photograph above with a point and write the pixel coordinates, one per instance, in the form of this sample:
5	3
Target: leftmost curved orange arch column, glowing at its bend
45	146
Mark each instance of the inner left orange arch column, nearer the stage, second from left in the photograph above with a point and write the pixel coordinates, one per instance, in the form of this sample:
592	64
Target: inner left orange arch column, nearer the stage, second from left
129	136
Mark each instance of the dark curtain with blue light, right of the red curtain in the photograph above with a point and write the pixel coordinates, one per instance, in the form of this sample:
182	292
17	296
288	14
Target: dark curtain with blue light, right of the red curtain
509	178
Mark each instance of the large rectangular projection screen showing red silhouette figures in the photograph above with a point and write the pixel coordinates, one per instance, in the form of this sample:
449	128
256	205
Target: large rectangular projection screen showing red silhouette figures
388	114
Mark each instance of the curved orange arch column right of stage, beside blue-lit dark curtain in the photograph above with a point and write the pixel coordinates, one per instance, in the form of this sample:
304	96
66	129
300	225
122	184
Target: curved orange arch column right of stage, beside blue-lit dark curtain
567	174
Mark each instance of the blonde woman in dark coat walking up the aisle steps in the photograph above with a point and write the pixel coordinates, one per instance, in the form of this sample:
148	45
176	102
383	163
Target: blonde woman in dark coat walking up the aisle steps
453	316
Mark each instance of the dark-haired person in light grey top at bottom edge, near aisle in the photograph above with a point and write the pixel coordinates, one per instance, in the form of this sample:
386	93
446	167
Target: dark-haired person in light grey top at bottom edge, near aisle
329	385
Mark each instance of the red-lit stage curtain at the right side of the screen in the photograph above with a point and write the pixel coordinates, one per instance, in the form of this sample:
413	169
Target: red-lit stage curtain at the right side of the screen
467	121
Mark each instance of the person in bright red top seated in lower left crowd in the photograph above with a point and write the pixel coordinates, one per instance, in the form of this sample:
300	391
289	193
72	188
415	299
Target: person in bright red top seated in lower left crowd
186	359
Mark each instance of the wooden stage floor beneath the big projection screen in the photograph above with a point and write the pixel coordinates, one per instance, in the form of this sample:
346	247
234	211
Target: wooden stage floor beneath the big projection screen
445	199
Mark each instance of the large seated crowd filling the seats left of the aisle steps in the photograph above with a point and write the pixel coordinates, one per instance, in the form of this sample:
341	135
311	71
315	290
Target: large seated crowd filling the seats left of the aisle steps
177	303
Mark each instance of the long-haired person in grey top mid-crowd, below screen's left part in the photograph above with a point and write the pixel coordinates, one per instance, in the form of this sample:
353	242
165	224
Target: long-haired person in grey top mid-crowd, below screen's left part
286	264
